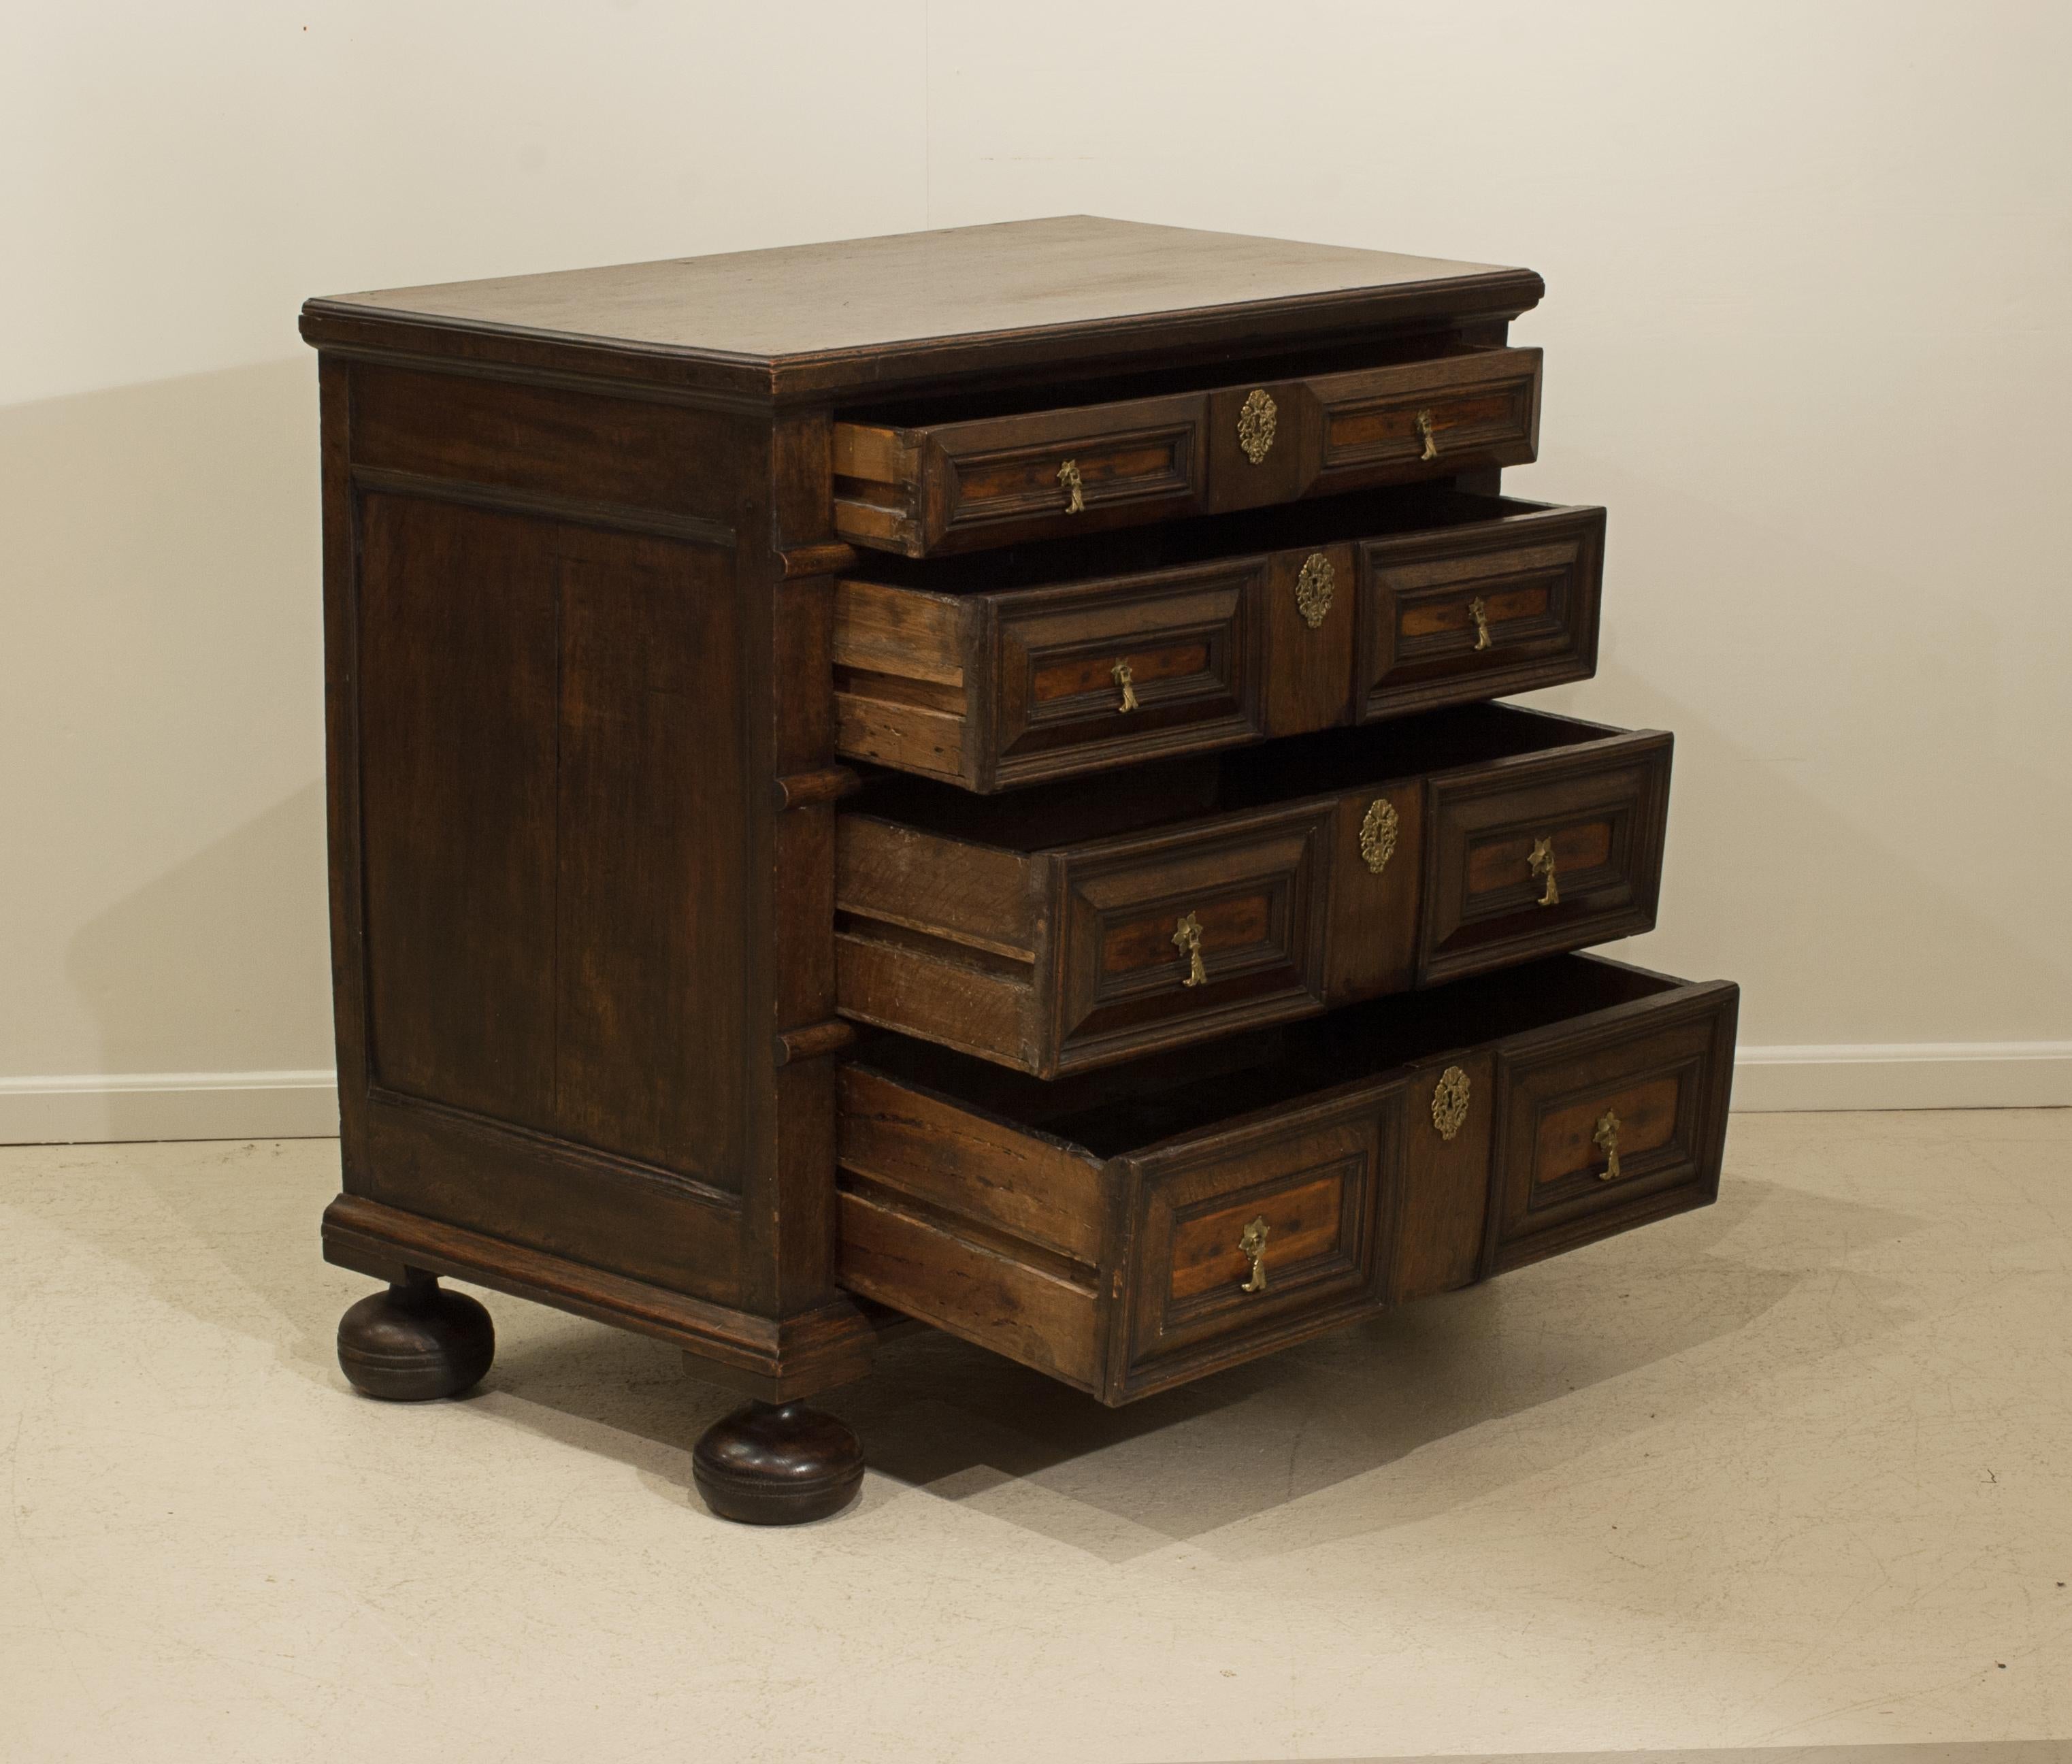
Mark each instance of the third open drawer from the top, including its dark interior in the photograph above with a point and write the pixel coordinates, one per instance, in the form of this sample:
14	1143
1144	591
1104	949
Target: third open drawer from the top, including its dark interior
1091	921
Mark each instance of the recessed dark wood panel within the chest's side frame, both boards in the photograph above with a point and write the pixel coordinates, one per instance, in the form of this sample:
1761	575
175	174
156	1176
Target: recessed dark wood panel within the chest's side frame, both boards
554	830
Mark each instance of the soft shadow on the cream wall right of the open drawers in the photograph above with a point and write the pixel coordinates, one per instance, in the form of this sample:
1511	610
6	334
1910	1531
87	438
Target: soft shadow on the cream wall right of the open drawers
1835	845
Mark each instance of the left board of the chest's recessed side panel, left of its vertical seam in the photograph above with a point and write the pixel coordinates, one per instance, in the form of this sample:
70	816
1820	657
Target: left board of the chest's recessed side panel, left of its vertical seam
457	706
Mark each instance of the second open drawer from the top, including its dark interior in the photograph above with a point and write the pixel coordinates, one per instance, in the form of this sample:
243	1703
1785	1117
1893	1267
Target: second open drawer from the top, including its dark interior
1043	662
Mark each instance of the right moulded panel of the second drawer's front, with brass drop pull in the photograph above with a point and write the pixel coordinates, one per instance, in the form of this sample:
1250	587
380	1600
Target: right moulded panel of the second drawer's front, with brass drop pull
1503	606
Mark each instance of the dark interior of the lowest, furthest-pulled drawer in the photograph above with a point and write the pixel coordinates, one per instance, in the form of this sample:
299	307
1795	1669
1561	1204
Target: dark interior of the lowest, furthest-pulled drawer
1126	1110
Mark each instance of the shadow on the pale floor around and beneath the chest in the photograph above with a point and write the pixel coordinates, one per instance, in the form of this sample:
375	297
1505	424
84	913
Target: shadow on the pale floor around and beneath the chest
1646	1324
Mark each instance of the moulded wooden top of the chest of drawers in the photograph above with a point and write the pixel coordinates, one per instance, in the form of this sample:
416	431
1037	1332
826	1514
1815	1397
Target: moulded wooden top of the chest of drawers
917	308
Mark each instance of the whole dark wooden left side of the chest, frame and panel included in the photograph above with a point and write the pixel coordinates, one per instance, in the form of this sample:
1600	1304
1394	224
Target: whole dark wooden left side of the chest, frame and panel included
544	820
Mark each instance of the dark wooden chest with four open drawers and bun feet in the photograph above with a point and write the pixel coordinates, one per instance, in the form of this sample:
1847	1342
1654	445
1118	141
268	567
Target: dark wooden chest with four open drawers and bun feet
952	778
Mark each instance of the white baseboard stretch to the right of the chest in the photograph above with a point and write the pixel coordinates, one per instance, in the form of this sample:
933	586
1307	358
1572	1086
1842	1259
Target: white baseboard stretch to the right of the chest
1905	1075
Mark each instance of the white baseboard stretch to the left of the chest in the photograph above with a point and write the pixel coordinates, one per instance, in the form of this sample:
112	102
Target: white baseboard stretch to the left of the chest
169	1106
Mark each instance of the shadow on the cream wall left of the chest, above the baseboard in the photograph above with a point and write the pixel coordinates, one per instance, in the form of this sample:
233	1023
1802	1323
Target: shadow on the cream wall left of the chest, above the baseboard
163	706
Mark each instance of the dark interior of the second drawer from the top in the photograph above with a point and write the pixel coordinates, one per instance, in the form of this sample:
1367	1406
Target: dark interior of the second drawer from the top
1327	521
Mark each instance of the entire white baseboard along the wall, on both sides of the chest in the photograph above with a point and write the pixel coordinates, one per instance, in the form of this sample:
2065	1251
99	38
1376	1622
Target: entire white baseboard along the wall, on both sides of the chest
304	1106
